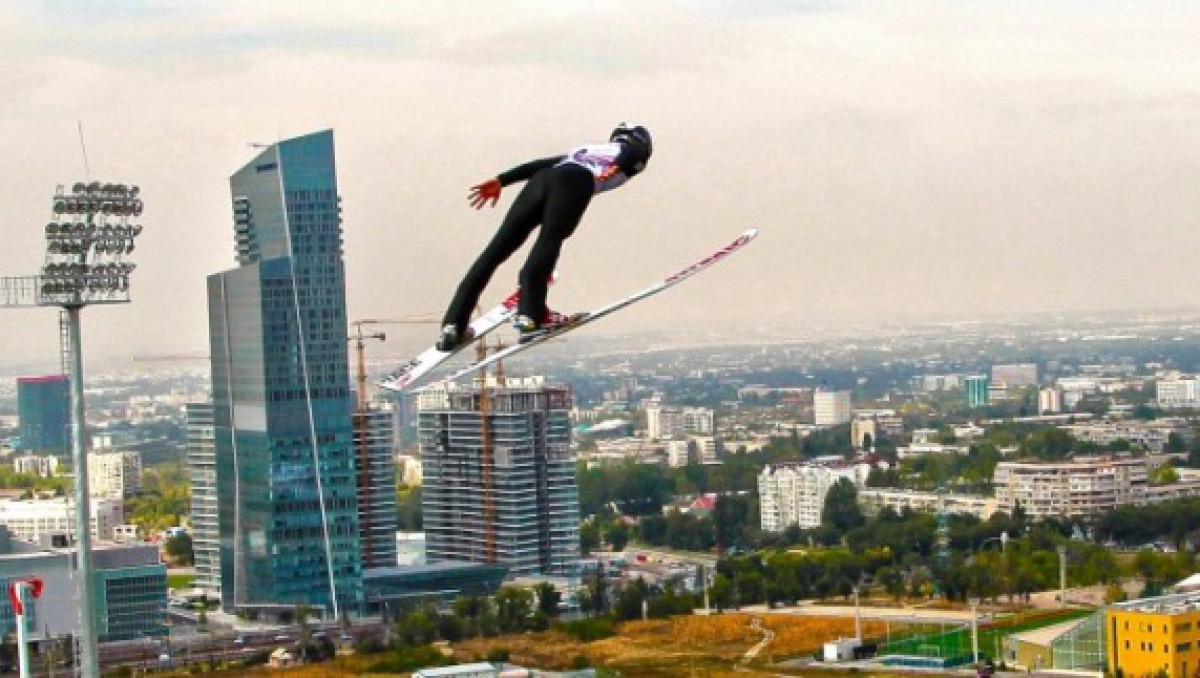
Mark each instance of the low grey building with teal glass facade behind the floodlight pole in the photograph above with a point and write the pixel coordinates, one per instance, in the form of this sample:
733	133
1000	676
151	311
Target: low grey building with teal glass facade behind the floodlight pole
130	591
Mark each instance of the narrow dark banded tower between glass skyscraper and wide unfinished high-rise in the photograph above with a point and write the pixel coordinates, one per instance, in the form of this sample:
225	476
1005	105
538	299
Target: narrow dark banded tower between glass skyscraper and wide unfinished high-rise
375	440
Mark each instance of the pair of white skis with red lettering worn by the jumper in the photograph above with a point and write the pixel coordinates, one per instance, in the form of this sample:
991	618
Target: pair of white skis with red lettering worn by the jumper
410	374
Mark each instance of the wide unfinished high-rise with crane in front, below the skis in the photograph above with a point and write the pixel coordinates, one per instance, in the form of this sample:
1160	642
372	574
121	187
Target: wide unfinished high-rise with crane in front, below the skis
500	477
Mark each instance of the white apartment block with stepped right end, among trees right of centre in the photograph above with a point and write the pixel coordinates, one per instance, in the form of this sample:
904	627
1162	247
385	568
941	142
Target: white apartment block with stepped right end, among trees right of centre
794	494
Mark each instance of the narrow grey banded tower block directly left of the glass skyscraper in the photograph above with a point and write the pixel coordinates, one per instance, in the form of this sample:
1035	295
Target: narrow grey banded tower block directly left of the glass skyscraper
202	471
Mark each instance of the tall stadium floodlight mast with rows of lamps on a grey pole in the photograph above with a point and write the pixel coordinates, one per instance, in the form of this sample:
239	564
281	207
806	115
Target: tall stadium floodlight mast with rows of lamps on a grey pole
88	243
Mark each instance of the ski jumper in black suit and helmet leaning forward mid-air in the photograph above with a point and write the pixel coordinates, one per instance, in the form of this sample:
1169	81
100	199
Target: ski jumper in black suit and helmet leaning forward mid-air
556	195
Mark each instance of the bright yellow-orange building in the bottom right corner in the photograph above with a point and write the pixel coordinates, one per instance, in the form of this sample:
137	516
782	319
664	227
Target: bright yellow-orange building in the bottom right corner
1155	637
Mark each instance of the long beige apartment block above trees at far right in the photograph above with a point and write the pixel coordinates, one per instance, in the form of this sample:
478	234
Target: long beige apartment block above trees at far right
1070	489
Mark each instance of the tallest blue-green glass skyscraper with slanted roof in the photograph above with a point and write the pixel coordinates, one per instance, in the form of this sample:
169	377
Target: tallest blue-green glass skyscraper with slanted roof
281	393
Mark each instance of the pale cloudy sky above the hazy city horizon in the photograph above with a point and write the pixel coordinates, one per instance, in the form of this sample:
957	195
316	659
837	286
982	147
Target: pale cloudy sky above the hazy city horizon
903	160
